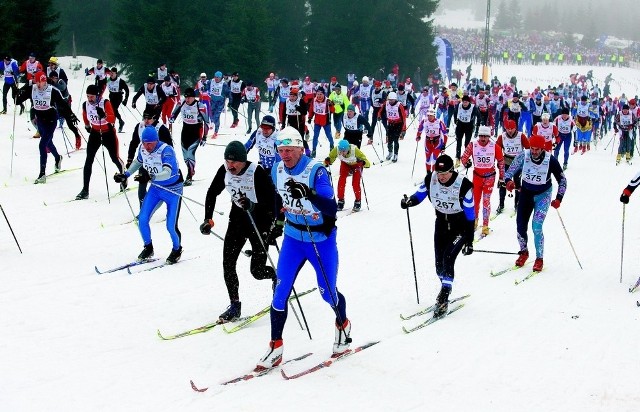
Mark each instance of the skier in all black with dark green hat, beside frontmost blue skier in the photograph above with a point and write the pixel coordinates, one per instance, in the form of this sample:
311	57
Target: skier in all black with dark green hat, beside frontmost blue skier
252	194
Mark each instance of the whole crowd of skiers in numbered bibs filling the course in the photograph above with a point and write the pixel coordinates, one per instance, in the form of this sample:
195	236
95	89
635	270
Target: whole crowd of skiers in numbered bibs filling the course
508	137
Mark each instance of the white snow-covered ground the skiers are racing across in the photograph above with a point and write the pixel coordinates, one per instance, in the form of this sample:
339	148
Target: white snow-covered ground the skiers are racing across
72	340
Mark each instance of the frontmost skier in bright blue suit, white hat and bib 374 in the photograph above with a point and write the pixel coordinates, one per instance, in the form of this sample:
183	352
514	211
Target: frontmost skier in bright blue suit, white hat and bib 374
309	235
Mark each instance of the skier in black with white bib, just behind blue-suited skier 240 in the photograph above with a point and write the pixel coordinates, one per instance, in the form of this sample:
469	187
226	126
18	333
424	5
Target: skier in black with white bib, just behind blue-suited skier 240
194	129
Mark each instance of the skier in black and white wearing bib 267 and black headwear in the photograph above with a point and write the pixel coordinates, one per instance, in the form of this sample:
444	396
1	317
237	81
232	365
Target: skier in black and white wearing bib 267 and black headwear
451	195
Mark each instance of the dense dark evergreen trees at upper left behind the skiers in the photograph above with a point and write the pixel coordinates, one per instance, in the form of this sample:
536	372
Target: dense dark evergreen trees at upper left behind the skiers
294	38
